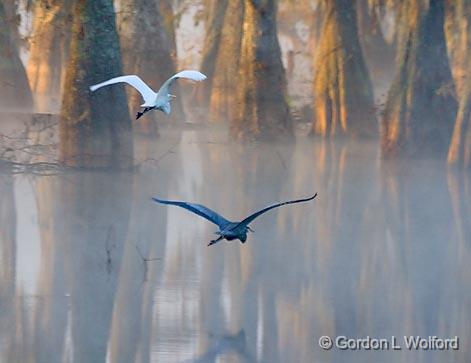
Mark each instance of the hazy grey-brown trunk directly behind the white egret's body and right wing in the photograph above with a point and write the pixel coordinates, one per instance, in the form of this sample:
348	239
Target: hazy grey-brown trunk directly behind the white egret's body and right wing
147	52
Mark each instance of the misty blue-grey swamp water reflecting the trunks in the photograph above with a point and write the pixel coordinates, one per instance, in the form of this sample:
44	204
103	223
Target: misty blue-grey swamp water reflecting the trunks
383	251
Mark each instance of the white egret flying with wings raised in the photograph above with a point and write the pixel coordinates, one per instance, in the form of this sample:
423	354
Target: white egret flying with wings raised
161	99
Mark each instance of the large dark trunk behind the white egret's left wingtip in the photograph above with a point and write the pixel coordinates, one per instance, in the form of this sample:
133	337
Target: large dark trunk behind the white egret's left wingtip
95	129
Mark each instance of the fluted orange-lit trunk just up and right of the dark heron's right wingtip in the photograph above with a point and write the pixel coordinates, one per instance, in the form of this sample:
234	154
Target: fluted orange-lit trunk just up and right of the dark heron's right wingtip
343	96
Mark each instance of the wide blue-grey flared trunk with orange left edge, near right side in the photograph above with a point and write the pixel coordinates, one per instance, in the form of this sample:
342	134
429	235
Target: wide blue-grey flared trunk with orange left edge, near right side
421	108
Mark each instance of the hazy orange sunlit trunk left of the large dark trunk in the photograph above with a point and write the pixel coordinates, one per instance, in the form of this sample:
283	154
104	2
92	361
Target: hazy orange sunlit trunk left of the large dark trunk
49	49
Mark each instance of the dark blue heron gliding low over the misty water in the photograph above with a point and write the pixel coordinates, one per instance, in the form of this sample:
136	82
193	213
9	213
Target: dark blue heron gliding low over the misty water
227	230
